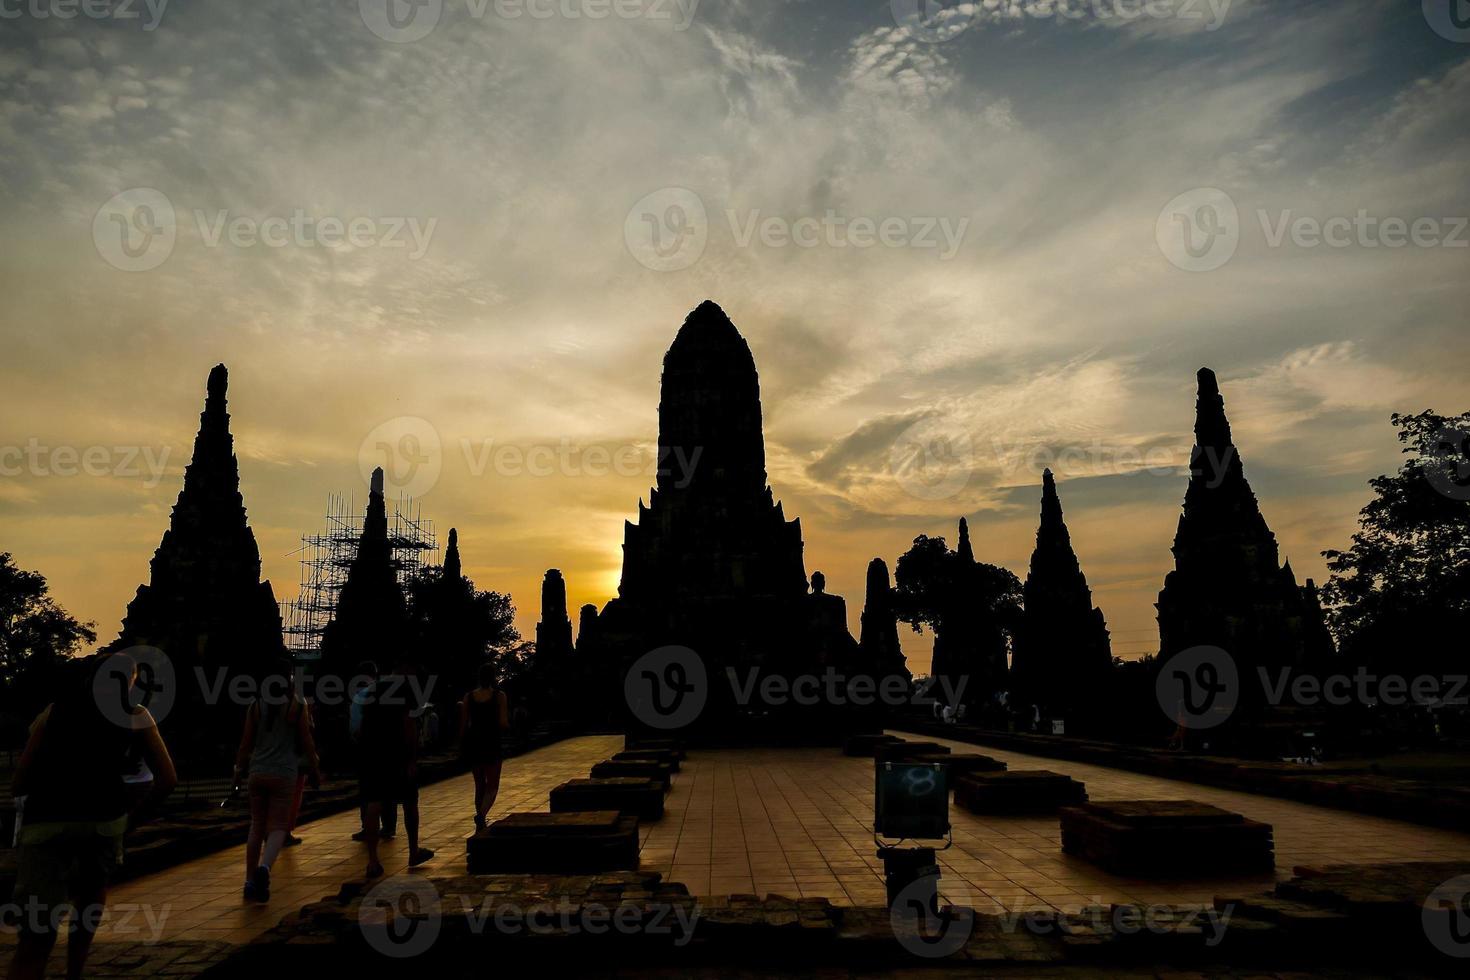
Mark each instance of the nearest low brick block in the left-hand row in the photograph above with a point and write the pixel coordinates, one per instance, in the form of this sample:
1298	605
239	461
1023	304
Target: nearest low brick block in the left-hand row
568	843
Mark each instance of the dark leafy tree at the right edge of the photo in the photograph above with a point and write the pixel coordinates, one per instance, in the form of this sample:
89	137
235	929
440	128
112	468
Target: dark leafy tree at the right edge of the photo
1400	597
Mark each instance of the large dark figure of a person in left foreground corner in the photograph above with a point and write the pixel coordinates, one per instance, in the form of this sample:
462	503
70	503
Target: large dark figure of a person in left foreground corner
77	812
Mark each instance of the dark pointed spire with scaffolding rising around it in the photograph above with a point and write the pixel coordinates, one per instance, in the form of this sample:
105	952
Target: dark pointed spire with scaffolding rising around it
371	621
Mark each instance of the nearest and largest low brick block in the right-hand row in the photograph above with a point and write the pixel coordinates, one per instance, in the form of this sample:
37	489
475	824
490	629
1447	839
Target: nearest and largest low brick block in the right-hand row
1155	838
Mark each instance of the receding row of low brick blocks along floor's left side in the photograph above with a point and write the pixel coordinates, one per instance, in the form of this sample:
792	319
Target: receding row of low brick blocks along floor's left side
593	824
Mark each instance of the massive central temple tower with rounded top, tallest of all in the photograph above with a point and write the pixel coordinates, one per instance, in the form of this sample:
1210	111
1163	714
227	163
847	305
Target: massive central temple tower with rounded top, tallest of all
712	563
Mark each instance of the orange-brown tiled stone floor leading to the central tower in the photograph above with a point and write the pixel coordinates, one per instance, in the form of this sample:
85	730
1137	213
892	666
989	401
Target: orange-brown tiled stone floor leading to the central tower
795	822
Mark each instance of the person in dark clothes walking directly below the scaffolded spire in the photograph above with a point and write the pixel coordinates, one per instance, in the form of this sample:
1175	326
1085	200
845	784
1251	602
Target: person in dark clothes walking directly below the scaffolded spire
390	766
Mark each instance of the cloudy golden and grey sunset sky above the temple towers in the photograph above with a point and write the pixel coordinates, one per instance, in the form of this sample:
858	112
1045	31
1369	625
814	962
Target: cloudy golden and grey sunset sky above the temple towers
965	242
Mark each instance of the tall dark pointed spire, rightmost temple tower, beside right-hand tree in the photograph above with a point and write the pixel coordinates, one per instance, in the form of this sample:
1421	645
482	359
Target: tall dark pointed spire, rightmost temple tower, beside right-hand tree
1228	588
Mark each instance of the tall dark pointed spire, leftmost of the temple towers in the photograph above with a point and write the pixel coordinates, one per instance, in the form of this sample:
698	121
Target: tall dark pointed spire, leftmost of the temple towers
205	603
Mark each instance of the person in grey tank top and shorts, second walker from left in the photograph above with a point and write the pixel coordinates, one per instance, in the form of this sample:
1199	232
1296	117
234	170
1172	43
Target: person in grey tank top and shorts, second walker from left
274	746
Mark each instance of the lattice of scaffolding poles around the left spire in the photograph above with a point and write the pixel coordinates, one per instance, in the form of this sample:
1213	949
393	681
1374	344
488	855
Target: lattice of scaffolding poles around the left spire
327	558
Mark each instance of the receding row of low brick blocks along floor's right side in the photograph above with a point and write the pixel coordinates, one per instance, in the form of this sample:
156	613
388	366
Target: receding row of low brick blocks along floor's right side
1139	838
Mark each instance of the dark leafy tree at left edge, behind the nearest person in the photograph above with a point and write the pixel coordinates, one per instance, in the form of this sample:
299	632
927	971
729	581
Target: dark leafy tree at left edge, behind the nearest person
37	638
